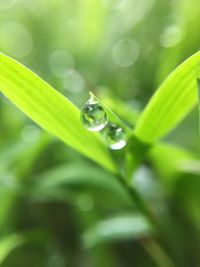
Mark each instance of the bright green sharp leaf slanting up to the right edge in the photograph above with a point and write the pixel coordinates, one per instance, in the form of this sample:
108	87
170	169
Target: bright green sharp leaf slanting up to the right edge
174	99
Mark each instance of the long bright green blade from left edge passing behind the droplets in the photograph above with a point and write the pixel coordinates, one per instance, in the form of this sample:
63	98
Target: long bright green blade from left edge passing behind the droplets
51	110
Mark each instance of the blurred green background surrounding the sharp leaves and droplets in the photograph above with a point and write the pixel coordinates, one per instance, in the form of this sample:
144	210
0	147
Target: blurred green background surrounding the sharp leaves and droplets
58	208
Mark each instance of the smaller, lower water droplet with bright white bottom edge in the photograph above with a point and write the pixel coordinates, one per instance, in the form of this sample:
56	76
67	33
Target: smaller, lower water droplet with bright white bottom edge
115	136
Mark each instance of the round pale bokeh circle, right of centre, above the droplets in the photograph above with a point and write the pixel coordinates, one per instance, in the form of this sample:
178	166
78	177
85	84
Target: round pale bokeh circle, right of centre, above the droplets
125	52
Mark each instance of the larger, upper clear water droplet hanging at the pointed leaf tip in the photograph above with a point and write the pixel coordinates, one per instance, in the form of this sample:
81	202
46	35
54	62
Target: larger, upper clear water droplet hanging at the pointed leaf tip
93	115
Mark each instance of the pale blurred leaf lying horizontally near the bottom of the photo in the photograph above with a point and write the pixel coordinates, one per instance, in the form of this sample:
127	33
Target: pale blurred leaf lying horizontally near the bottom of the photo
124	227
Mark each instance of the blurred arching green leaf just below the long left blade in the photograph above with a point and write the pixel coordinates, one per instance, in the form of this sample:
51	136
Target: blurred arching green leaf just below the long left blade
84	176
